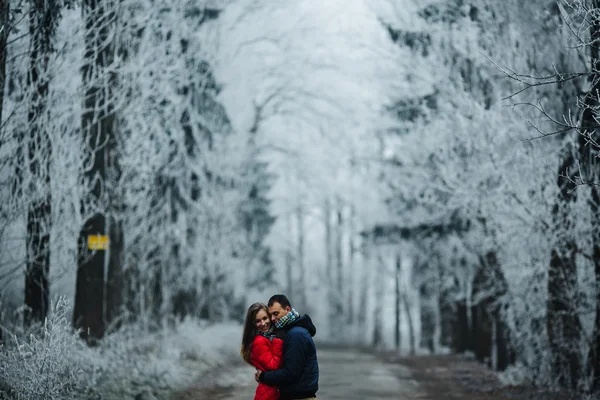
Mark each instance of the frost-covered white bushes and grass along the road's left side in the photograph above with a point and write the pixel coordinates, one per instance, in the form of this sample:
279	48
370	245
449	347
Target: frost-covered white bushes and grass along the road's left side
50	361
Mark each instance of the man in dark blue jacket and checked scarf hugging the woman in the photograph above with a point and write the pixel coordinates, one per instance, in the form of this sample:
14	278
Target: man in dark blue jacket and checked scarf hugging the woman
299	376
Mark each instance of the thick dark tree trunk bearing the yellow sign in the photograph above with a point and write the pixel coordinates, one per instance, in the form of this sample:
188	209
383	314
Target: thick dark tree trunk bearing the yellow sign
98	128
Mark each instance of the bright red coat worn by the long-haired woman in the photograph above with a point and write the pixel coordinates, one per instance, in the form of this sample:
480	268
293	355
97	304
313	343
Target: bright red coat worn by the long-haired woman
266	355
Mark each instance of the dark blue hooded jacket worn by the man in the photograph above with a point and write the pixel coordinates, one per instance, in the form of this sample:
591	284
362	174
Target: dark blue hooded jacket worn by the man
299	375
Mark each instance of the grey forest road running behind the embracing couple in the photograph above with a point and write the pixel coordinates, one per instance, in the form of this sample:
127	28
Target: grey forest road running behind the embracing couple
354	375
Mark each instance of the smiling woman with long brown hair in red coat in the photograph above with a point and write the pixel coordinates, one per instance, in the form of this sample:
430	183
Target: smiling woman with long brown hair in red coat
260	348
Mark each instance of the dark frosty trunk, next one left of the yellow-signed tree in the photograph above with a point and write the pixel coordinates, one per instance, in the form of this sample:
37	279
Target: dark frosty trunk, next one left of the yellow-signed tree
41	30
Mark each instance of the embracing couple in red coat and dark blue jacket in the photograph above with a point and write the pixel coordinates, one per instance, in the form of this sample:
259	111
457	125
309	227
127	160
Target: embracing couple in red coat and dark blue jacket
278	342
